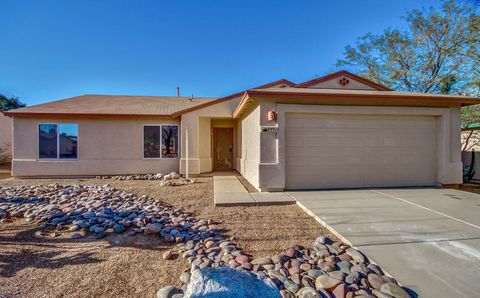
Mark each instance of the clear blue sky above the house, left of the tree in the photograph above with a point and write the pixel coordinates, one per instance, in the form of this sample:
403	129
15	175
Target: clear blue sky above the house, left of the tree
57	49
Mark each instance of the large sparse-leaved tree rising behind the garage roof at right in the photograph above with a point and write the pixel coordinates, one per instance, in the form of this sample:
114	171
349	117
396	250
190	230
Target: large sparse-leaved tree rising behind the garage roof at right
438	52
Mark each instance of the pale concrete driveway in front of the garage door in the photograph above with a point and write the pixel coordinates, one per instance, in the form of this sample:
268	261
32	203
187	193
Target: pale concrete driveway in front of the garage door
428	239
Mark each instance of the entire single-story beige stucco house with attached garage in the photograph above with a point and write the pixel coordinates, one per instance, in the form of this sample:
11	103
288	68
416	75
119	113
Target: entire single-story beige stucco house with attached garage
336	131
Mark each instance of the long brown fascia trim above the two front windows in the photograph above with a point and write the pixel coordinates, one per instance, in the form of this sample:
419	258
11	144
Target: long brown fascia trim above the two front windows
85	116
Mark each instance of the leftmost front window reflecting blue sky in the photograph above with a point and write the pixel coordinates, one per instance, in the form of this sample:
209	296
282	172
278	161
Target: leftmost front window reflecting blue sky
58	141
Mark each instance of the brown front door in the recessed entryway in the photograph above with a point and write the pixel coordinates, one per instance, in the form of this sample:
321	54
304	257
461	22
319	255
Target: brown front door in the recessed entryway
222	149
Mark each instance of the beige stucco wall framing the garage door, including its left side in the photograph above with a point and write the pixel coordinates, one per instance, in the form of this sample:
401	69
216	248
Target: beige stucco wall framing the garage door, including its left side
271	157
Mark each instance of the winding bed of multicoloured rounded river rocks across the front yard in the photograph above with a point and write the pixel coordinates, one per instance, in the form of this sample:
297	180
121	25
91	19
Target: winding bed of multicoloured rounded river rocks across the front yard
328	268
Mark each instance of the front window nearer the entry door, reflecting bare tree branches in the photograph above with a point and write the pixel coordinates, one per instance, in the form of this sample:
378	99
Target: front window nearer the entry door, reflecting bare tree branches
160	141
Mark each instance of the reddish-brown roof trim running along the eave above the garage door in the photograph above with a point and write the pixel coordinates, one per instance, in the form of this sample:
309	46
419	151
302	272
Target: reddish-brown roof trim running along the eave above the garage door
414	99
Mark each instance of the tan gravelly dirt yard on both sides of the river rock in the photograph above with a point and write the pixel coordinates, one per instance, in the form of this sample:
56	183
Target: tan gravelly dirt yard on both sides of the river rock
34	265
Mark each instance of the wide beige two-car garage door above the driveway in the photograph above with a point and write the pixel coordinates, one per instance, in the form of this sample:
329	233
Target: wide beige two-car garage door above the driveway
342	151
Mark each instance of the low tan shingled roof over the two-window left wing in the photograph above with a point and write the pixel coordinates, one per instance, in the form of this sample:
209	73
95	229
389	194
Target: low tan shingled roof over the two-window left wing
112	105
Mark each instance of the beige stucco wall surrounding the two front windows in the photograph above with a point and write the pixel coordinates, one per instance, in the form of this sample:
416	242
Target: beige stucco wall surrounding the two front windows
105	146
